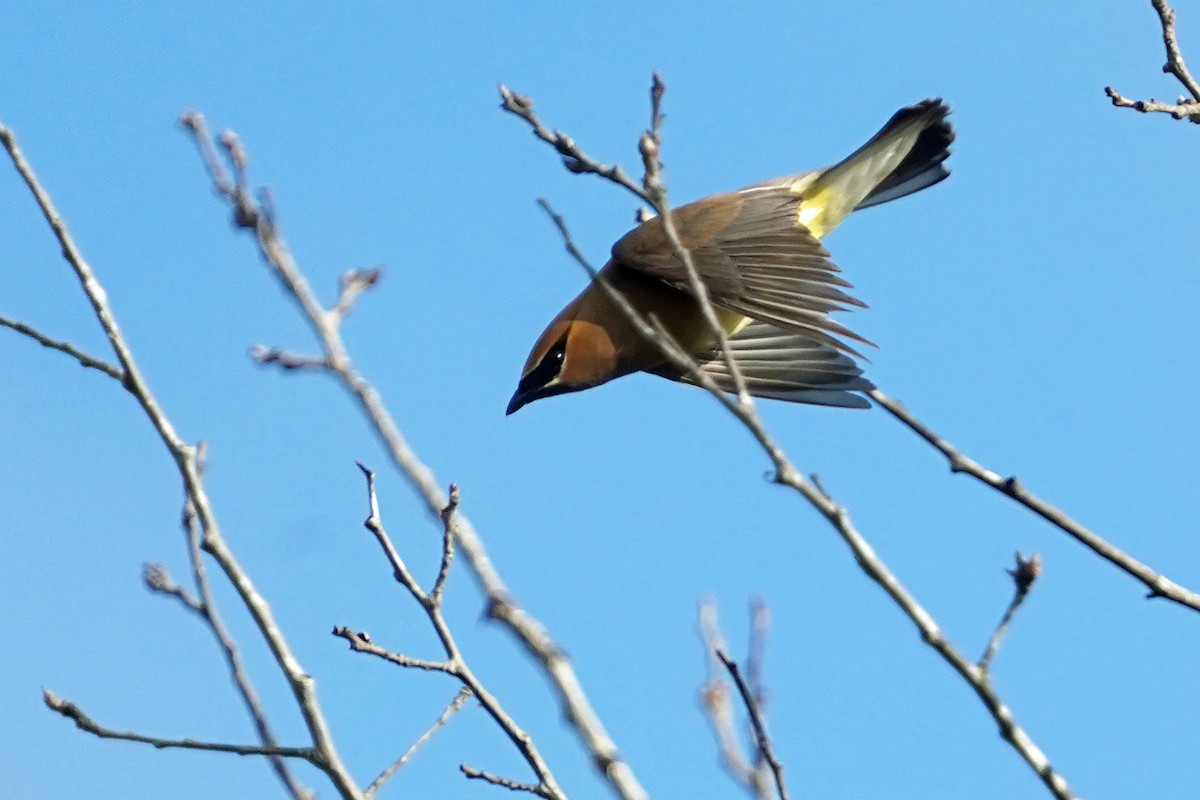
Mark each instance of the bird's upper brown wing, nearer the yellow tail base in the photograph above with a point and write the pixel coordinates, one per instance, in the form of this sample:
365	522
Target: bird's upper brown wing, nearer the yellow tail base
754	257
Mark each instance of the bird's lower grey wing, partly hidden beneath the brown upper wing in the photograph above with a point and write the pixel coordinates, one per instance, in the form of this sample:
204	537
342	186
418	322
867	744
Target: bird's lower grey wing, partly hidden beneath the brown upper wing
784	366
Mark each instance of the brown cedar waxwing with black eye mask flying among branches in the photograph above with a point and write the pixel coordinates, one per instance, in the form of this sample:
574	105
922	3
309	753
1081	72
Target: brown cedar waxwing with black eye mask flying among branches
771	282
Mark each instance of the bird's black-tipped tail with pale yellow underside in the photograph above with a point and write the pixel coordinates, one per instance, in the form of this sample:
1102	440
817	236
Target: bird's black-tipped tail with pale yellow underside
904	158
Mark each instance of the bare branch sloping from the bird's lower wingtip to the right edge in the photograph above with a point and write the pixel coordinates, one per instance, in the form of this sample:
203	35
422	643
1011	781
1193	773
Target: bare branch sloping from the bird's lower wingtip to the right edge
1159	585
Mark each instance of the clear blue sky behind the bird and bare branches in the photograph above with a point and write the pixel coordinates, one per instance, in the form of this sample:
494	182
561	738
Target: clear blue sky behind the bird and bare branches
1039	309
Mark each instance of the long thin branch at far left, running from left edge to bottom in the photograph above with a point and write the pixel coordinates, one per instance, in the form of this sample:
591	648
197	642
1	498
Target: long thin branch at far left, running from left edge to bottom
325	753
